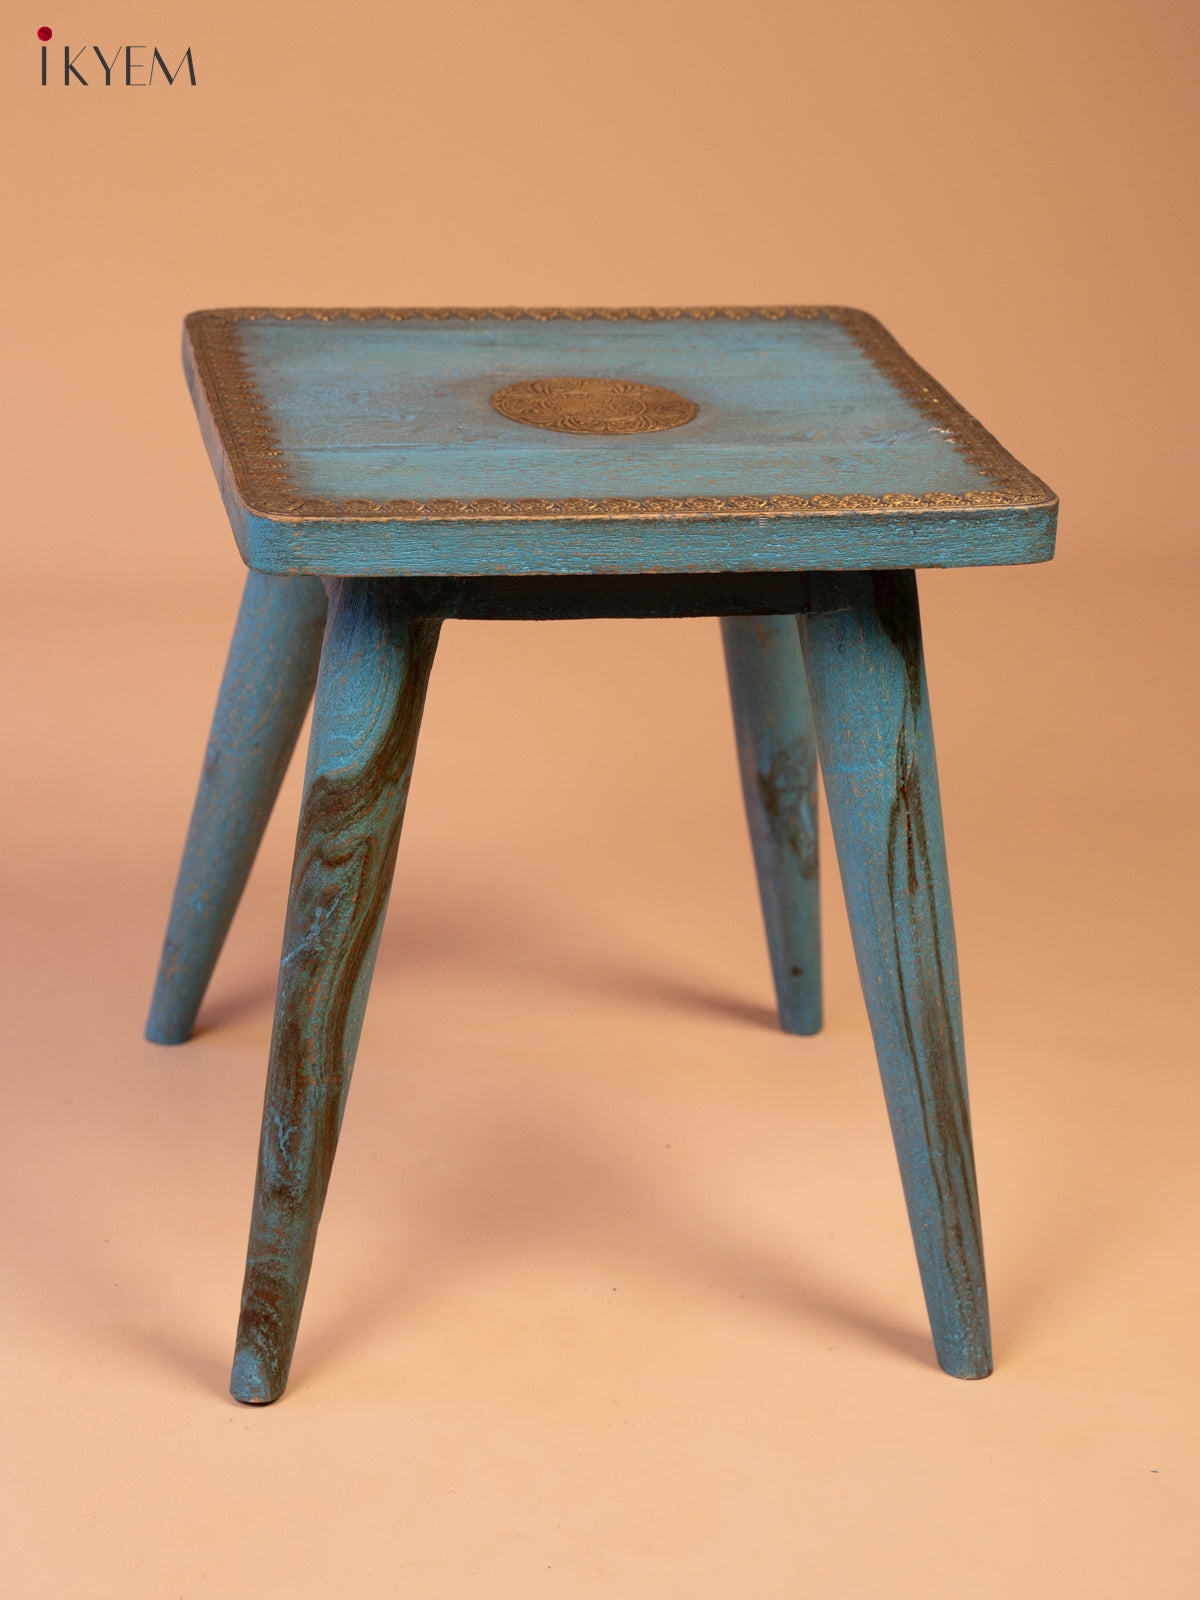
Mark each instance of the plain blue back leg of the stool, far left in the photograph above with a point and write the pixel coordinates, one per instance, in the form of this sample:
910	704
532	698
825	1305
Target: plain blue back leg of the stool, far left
265	695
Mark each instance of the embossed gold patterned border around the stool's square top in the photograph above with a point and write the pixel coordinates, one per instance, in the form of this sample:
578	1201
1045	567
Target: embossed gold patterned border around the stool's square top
257	460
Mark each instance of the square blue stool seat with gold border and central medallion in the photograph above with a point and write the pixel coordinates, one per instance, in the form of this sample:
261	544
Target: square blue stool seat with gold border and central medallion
519	442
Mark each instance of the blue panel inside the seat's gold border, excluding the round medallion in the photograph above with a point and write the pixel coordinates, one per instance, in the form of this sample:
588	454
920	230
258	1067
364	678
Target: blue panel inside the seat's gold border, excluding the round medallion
399	410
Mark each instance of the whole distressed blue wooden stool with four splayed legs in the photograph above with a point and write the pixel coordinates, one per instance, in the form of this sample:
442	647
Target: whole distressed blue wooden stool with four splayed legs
782	468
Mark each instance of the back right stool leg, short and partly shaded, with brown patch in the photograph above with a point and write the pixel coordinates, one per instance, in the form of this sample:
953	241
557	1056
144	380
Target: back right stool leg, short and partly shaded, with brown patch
777	754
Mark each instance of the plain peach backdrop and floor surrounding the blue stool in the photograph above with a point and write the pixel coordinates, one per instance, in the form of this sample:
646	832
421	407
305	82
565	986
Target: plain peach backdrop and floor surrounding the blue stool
615	1292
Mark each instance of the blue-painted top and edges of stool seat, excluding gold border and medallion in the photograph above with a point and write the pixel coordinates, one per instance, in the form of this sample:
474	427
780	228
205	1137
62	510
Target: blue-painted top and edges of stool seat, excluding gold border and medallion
374	410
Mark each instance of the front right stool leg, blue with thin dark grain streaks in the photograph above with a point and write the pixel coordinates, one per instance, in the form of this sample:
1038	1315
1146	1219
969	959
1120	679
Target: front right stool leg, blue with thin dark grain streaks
866	673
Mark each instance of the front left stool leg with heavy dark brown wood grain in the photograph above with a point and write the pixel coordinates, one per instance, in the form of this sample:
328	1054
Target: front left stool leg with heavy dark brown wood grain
367	716
